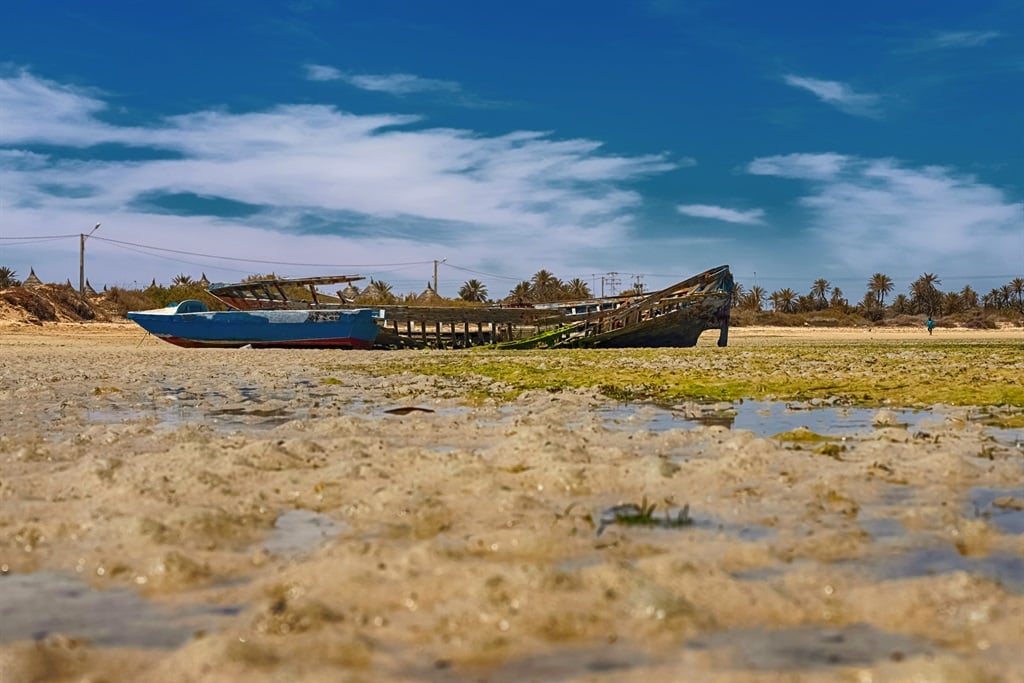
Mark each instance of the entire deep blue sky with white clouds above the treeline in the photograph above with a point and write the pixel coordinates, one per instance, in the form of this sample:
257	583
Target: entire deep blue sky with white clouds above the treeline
792	141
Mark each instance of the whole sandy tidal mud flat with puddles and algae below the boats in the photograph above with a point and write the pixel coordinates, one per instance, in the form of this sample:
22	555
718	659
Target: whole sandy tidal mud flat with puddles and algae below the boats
184	516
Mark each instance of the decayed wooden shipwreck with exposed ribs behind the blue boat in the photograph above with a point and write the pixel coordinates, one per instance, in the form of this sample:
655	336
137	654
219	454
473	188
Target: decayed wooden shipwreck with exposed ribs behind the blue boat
674	317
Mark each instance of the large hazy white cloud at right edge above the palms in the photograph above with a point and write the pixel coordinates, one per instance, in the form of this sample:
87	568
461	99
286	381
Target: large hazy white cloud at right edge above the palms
878	215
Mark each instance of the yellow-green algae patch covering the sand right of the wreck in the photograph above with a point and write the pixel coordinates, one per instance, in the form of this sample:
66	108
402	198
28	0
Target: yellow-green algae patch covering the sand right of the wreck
876	373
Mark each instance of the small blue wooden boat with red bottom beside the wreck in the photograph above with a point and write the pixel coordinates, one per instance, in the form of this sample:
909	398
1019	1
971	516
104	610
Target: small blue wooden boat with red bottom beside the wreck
186	325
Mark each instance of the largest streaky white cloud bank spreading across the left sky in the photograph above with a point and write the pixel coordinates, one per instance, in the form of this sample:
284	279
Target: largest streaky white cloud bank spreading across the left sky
412	194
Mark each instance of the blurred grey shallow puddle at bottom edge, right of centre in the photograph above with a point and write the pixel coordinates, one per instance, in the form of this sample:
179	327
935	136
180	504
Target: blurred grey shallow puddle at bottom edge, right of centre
808	648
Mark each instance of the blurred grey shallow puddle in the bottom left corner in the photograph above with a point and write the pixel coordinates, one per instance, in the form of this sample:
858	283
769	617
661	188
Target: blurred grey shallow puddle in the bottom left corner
36	606
